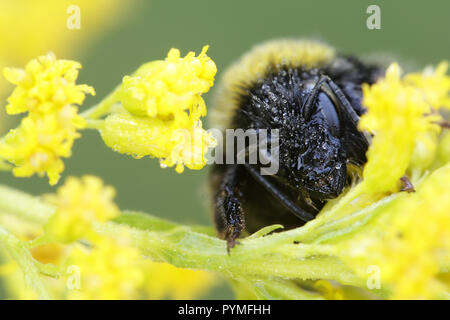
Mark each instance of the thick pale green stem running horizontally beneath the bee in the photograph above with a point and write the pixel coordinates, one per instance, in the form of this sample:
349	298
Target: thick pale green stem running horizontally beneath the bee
187	249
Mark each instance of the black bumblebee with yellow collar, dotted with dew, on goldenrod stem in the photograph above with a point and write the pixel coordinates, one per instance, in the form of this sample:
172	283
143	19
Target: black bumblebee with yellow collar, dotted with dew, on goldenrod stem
312	95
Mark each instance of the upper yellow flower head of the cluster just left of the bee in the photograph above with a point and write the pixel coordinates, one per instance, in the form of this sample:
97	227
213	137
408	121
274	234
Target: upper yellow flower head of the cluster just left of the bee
166	88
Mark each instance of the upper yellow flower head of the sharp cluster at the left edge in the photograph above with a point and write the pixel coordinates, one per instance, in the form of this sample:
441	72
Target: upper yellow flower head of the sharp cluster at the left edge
46	85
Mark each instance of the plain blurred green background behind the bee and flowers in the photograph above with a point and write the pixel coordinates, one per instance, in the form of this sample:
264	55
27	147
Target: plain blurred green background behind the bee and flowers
414	32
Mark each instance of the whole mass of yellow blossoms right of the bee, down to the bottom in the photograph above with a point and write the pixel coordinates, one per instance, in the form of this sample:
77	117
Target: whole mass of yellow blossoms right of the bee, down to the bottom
409	240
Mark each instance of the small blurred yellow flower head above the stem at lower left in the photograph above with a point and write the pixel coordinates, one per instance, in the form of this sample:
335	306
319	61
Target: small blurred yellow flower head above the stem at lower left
79	203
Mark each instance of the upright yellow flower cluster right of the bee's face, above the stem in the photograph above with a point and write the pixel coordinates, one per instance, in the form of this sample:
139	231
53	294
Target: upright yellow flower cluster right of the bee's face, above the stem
402	116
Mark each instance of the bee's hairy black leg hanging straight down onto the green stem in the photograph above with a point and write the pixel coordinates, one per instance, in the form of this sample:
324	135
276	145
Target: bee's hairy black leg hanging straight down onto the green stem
228	213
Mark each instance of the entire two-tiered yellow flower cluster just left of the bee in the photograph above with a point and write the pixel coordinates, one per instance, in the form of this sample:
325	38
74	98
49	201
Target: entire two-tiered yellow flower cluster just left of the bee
164	109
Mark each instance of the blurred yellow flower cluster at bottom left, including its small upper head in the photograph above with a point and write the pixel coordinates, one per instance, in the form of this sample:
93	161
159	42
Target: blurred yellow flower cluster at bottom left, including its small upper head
108	268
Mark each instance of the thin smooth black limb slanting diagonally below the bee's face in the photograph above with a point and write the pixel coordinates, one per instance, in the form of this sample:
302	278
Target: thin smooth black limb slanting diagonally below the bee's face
279	195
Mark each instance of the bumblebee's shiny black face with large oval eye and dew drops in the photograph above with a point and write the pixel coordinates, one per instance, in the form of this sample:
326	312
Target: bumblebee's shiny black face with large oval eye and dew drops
314	157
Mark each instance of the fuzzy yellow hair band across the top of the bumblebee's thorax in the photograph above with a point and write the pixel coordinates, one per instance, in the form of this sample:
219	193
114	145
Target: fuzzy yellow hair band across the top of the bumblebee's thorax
254	65
